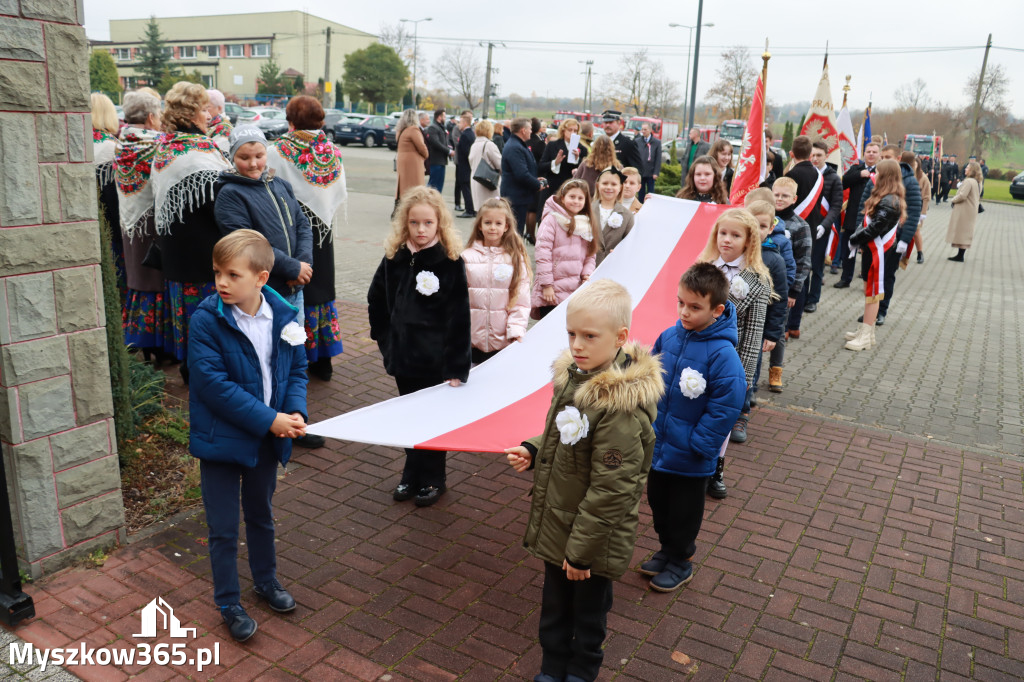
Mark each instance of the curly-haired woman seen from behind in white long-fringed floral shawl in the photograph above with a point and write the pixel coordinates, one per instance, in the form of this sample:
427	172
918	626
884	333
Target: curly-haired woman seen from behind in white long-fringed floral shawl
185	169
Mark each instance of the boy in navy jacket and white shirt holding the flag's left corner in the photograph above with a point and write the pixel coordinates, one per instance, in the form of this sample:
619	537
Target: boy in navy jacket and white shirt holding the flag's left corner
247	401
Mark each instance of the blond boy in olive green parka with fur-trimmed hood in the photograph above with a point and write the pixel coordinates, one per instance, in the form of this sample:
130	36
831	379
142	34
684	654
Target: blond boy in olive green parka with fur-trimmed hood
590	467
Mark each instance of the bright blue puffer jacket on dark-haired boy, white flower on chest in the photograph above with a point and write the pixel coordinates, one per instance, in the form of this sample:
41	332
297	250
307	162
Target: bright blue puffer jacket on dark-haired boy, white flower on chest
691	432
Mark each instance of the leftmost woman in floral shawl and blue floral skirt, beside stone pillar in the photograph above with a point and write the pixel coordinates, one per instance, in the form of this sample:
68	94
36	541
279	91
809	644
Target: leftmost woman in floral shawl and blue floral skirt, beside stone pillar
146	319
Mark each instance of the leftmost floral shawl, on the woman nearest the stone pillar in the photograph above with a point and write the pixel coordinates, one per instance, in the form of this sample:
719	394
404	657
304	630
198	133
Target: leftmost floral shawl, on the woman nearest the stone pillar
133	165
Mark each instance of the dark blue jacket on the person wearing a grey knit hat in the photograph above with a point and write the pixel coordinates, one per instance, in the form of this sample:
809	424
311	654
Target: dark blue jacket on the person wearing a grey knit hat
270	207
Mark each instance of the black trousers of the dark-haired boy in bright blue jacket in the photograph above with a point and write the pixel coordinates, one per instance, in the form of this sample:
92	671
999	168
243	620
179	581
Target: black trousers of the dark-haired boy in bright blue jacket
677	506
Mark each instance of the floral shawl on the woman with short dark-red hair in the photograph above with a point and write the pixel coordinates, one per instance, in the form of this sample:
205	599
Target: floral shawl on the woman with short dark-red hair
312	164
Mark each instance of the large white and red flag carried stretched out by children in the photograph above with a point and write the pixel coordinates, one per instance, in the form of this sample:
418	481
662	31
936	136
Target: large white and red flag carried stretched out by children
506	399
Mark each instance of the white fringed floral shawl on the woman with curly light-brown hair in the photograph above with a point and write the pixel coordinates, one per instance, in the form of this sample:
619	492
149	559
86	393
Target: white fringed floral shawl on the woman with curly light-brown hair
186	166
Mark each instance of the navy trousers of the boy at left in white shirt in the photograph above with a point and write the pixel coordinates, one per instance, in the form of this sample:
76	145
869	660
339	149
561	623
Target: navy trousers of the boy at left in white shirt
222	486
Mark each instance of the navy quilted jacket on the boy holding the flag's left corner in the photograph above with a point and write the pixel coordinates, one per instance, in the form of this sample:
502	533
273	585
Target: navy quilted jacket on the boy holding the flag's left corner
229	418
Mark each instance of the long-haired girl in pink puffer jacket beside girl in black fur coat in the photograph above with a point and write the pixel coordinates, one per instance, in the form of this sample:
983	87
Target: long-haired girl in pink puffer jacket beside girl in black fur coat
498	272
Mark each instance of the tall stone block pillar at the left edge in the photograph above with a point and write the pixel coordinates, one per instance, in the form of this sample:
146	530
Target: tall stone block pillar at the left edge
57	430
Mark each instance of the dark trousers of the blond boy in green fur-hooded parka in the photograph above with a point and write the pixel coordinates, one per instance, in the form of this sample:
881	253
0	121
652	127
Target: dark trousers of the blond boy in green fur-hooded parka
574	624
